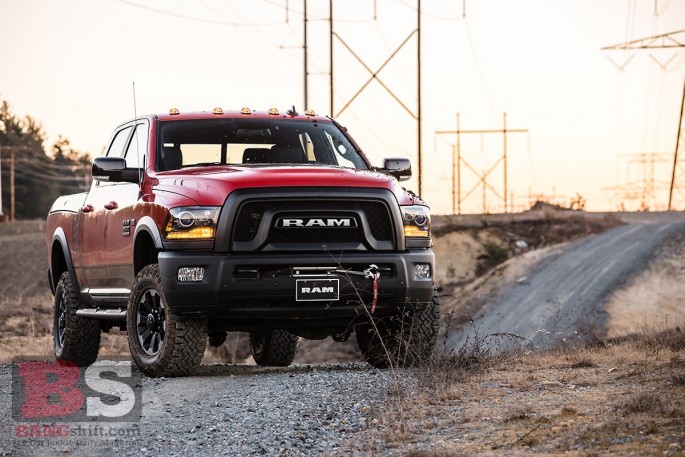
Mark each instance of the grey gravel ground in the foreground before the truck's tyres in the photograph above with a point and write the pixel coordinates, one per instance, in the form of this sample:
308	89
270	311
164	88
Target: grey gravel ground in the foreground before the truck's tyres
227	410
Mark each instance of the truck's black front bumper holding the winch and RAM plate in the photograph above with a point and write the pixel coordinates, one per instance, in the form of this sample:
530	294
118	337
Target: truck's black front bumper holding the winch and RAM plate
253	290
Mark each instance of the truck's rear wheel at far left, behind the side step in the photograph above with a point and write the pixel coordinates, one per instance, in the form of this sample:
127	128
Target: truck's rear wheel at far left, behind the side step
76	339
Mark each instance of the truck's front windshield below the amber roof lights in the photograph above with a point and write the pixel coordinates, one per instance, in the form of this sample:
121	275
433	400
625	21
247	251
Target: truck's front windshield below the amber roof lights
253	142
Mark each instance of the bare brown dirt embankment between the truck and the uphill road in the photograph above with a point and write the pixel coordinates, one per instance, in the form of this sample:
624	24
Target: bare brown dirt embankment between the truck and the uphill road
478	256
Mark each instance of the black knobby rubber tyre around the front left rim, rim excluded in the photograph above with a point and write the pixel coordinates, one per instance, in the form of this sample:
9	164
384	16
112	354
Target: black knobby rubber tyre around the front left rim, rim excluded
185	339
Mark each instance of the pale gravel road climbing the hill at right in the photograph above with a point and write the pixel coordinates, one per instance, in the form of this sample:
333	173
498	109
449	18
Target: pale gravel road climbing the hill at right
564	294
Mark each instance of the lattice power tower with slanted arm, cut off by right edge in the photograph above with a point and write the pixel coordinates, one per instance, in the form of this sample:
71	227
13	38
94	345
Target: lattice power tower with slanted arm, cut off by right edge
673	40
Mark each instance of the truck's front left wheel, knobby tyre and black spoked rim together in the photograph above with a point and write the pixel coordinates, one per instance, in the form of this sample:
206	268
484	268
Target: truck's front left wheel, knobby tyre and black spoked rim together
161	343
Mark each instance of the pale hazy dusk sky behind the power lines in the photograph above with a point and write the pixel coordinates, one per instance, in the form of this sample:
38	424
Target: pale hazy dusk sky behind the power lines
71	64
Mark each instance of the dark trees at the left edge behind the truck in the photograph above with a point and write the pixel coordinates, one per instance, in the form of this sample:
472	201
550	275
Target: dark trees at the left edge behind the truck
40	175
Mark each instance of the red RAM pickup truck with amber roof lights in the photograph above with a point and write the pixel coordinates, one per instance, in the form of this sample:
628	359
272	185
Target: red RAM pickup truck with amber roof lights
271	223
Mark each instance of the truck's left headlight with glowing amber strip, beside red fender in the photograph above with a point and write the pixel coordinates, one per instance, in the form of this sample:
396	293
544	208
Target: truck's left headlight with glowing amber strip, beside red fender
192	223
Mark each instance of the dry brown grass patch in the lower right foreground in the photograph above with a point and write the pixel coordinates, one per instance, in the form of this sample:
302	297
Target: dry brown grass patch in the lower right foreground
624	398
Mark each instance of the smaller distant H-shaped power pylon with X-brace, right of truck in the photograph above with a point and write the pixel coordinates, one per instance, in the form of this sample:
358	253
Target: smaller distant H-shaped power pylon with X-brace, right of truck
483	177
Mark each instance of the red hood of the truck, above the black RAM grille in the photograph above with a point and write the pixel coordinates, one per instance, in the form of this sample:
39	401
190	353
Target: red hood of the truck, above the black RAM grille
211	185
